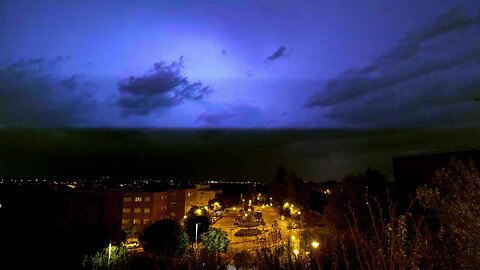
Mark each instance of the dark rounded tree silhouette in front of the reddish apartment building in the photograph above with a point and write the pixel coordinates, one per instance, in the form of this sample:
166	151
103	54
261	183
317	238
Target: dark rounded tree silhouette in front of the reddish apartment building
165	238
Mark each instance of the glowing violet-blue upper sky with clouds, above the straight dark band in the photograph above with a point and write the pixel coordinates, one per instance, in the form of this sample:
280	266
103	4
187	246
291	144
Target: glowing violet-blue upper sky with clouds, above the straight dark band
240	64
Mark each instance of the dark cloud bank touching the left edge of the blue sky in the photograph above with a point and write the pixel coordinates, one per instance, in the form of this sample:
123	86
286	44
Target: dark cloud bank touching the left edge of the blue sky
33	94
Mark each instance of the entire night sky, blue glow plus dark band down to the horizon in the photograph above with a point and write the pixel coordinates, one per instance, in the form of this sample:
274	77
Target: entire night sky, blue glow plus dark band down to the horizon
234	88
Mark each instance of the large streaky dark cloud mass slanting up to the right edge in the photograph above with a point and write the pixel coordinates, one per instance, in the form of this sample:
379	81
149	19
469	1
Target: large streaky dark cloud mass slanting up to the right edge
429	78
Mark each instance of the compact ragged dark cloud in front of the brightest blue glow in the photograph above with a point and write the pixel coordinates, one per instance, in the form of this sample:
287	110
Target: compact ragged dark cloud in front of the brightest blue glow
162	87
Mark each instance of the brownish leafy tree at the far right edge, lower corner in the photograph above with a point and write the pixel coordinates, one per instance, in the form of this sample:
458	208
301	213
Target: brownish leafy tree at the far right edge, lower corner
454	200
